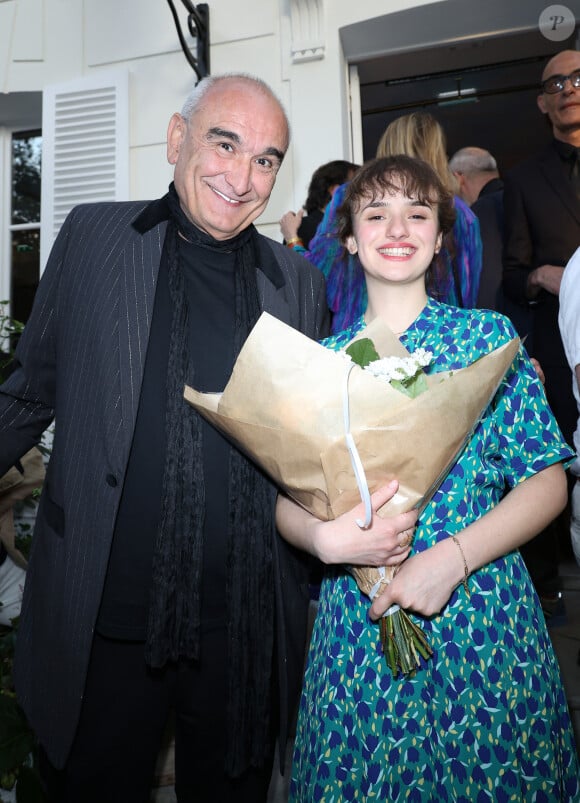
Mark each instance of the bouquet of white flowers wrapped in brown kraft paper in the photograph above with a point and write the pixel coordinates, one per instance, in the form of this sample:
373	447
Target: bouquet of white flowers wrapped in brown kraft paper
329	432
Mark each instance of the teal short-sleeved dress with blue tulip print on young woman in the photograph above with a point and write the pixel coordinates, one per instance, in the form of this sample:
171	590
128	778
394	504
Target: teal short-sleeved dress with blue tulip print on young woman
485	718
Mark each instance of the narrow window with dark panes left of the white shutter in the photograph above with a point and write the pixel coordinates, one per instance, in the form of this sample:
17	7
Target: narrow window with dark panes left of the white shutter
24	227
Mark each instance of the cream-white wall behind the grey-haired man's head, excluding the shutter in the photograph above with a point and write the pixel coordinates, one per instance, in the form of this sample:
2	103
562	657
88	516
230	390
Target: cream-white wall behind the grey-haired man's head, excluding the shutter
43	42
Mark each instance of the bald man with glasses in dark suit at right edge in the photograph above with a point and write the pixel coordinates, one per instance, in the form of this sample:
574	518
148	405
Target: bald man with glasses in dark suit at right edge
542	231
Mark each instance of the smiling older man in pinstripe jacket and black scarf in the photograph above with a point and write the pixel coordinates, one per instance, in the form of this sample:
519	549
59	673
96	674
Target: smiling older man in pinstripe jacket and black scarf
157	580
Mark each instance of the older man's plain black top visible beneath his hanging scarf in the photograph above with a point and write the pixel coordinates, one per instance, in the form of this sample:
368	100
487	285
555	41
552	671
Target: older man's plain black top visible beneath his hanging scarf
209	286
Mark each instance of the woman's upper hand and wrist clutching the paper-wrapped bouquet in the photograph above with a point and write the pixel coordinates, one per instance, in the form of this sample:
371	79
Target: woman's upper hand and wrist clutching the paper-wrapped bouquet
386	542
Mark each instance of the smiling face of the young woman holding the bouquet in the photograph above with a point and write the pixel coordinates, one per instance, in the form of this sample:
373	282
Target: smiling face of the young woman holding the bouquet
395	238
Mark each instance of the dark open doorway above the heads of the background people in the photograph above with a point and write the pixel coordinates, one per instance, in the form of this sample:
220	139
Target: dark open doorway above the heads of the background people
476	67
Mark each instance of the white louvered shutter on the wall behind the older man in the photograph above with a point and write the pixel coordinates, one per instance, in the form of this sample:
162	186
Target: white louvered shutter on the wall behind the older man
85	148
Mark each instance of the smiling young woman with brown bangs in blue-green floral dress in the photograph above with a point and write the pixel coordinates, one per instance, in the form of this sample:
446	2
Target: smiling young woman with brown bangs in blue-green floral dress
487	711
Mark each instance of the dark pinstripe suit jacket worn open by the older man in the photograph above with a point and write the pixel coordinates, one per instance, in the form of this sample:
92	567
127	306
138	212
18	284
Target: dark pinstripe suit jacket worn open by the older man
81	359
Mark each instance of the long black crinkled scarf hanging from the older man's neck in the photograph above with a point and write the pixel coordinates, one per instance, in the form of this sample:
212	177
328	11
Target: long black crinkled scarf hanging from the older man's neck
175	608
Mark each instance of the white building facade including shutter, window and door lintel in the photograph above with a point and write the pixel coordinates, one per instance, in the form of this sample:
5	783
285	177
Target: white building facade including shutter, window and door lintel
93	85
